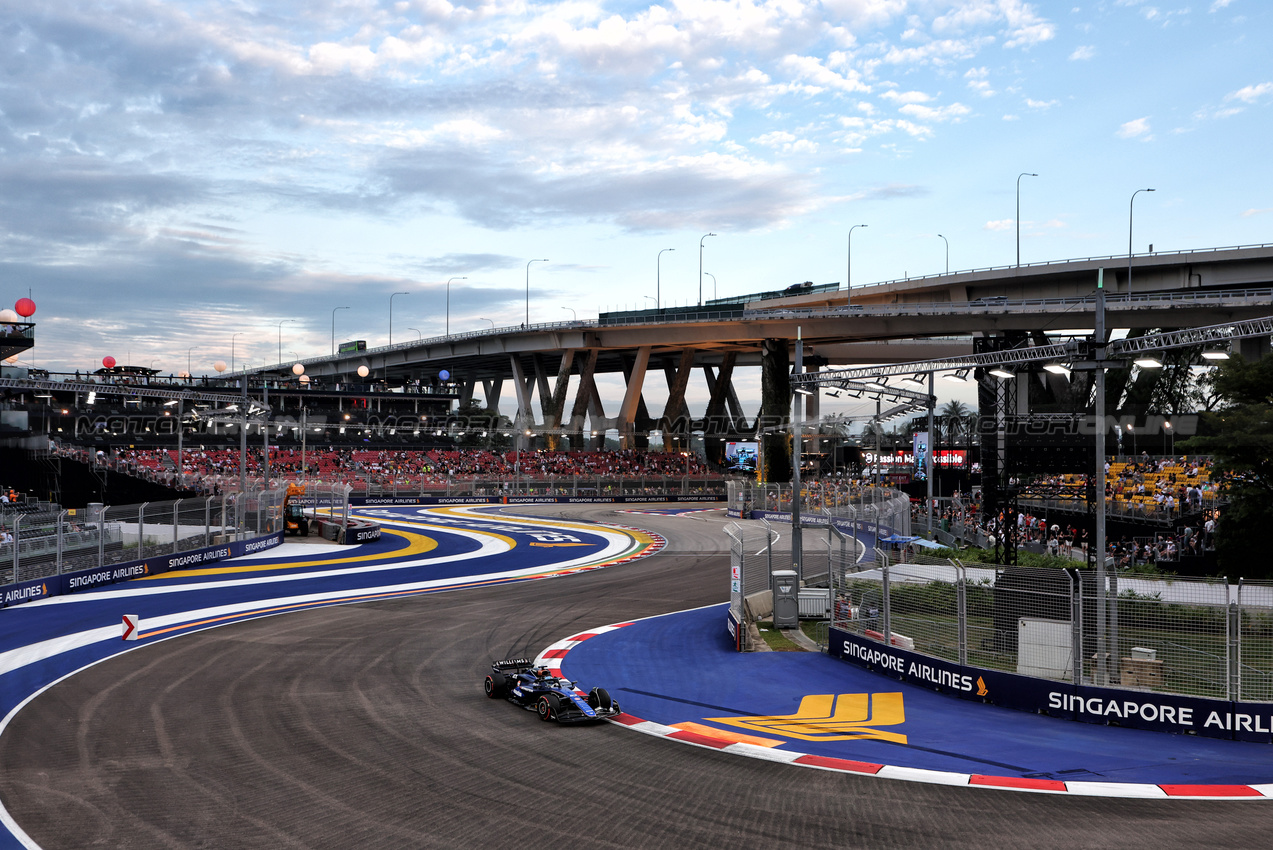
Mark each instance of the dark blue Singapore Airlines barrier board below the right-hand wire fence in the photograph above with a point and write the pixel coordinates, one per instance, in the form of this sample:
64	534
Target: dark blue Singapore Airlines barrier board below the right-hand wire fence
1083	703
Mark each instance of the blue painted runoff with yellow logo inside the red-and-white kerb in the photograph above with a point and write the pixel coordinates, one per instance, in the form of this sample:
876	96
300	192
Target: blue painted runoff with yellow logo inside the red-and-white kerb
682	669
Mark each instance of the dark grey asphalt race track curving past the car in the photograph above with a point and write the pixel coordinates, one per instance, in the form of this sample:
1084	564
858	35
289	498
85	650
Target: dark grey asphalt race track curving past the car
365	726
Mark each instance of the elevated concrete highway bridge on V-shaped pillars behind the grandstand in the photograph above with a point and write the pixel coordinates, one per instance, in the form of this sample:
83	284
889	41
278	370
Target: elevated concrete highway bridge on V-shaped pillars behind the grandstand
920	319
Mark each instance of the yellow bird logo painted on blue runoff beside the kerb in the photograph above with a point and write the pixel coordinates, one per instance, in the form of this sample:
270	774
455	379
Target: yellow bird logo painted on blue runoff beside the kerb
827	717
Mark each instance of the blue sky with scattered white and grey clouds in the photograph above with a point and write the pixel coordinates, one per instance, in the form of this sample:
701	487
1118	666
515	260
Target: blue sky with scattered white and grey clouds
176	172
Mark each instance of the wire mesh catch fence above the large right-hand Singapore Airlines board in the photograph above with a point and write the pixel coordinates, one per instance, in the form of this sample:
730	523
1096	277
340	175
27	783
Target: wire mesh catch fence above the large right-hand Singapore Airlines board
1174	636
